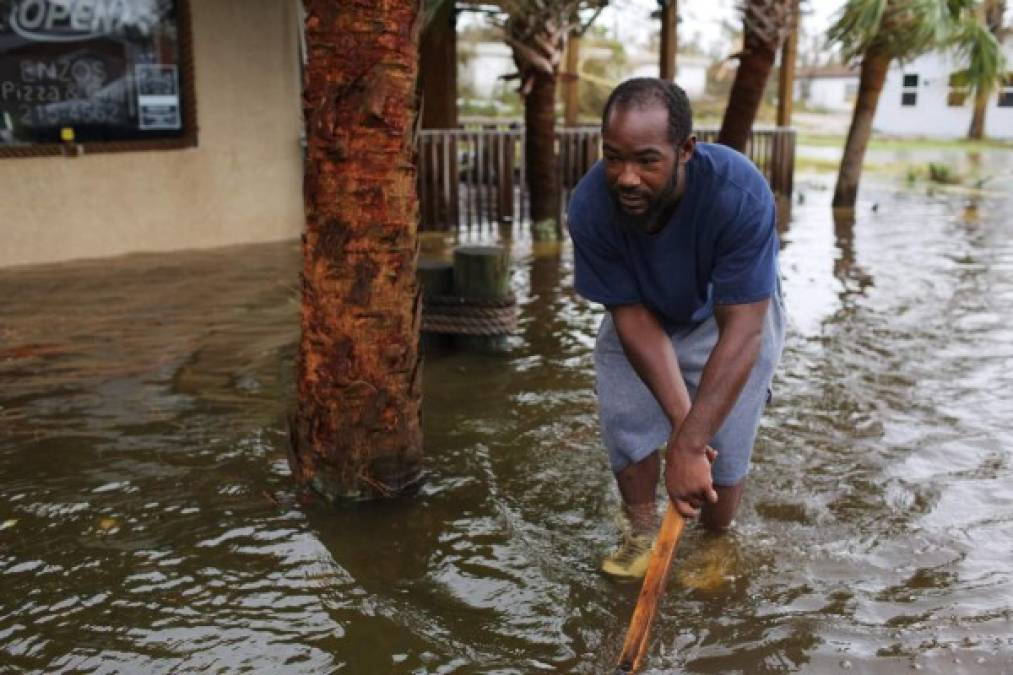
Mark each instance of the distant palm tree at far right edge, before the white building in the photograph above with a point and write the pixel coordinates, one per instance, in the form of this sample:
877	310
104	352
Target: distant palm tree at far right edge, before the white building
984	70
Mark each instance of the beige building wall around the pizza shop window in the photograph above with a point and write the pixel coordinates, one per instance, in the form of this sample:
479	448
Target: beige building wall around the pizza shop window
242	184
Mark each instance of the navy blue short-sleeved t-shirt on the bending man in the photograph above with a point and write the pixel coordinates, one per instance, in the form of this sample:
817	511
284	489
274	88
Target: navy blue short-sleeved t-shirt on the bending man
720	247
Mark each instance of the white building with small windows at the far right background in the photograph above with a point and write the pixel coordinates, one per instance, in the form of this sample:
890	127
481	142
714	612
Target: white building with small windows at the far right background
925	99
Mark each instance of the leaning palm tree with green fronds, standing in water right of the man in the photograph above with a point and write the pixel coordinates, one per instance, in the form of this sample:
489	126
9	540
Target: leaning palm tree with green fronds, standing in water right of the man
878	32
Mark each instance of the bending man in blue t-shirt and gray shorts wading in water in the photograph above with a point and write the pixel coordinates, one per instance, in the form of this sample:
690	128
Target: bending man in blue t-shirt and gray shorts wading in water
678	241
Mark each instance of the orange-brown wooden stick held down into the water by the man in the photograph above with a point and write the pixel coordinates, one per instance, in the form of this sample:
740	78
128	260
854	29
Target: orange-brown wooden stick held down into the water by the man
654	586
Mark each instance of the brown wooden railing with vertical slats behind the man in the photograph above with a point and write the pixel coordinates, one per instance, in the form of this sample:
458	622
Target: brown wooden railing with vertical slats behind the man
476	177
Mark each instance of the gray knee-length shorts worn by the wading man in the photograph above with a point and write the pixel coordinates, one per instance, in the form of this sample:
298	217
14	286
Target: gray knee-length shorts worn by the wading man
633	423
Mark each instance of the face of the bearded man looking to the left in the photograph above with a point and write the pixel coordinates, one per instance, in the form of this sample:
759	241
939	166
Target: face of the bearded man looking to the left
642	167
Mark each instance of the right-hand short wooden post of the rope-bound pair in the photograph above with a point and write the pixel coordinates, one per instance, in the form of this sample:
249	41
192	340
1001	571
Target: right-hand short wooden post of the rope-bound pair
482	273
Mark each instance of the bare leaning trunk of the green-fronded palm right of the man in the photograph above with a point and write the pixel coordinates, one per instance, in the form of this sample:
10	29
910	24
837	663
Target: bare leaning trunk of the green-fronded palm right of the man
871	85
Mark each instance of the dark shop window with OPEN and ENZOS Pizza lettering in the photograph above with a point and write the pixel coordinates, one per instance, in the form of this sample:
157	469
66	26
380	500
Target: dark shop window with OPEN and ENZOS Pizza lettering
106	74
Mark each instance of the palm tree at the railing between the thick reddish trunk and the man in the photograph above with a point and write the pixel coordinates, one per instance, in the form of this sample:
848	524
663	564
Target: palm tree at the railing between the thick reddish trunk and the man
537	31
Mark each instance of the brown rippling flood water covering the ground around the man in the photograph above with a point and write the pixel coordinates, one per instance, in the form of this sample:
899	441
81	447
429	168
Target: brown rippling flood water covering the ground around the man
149	523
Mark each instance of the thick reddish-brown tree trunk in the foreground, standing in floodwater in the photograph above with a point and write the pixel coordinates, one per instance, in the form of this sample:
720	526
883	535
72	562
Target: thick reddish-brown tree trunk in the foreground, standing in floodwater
356	431
